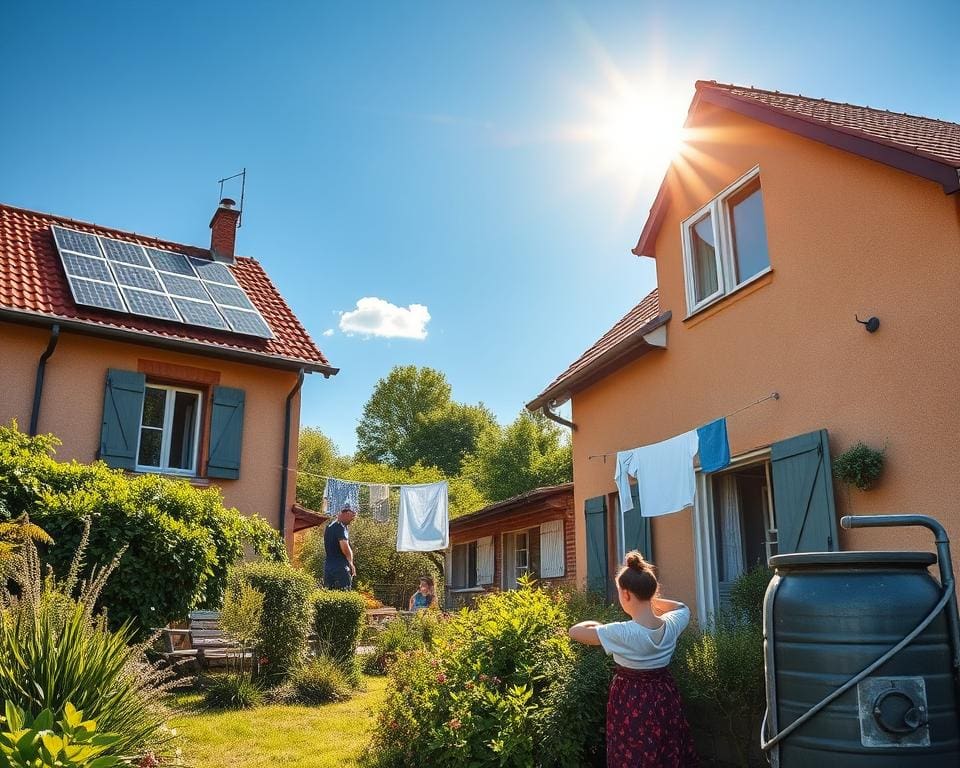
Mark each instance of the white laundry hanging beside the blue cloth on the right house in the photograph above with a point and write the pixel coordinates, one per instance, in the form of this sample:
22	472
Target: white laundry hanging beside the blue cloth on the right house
665	478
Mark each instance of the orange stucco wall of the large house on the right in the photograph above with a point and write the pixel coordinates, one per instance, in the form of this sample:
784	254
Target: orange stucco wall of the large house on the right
846	236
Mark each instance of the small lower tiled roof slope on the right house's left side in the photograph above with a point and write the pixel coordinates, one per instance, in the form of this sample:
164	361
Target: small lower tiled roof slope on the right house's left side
628	330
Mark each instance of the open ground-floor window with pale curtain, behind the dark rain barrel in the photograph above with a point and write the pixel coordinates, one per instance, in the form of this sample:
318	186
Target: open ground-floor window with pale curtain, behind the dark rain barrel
744	523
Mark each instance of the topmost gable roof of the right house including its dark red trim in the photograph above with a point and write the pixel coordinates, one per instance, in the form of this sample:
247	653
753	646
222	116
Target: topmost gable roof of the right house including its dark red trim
919	145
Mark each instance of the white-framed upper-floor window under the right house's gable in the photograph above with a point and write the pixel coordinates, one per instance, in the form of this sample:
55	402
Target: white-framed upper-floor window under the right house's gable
725	243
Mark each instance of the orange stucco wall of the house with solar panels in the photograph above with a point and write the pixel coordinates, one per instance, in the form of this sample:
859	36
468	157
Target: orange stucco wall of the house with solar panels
72	405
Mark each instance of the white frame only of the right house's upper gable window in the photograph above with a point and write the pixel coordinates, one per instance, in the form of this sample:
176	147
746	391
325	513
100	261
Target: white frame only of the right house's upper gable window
720	218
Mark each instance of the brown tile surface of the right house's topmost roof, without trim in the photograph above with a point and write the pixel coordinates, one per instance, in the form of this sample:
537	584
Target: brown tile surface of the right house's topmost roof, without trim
937	139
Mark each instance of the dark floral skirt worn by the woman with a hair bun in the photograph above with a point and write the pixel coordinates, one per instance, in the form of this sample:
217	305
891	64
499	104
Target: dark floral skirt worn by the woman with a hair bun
646	727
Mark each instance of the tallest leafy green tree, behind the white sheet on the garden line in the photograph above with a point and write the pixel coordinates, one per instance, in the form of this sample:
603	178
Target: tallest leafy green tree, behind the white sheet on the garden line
391	416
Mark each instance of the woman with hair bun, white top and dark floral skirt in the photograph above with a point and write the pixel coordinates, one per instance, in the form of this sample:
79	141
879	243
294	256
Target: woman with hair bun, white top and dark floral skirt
646	727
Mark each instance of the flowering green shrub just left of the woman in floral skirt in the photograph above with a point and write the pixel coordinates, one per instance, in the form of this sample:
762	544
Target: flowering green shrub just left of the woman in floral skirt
476	696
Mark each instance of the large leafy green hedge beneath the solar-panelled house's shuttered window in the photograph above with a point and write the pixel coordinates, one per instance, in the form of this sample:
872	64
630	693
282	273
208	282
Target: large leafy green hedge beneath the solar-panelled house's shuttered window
180	540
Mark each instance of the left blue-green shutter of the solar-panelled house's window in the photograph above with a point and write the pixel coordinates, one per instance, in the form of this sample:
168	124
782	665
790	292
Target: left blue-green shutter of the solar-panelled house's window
122	411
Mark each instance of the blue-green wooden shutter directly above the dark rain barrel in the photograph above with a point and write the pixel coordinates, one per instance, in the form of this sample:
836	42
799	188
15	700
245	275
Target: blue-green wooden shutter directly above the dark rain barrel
803	494
